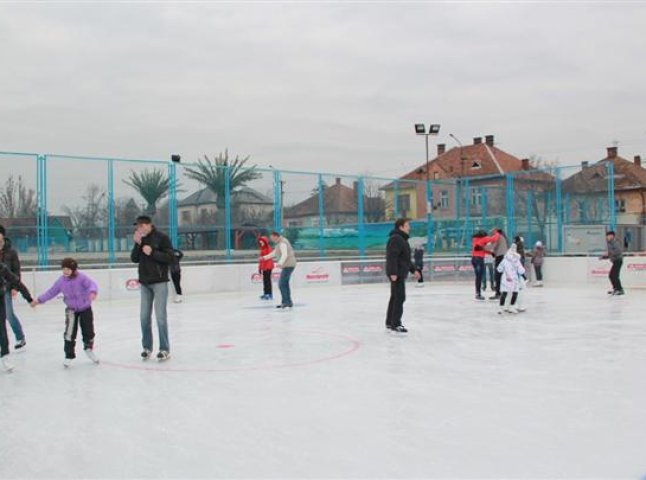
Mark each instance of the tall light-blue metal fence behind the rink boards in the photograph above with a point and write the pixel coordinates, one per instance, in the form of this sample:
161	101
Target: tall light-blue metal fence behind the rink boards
58	205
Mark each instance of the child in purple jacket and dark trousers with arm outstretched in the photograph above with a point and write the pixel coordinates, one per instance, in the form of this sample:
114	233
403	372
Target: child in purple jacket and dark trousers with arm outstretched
79	291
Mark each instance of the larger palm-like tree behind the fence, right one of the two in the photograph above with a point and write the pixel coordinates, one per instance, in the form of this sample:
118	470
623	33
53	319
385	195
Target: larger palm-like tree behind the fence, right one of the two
212	174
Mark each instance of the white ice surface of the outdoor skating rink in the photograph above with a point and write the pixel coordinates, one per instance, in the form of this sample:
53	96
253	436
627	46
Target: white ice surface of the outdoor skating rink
323	391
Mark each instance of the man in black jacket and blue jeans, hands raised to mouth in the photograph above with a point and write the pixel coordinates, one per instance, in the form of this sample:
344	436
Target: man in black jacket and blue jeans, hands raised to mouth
153	252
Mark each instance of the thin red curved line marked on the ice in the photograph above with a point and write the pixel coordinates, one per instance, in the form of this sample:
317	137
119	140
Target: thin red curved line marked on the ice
354	345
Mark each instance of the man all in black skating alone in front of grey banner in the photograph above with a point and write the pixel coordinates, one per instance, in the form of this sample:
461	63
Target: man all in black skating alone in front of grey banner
398	266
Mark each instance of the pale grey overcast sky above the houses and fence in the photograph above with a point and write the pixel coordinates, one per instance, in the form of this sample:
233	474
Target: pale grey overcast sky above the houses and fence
322	86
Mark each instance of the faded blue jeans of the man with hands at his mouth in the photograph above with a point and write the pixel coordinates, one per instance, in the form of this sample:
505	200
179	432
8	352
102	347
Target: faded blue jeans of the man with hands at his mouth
154	294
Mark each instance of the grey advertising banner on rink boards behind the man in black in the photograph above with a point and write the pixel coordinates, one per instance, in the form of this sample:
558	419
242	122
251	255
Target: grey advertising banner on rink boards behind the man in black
374	271
